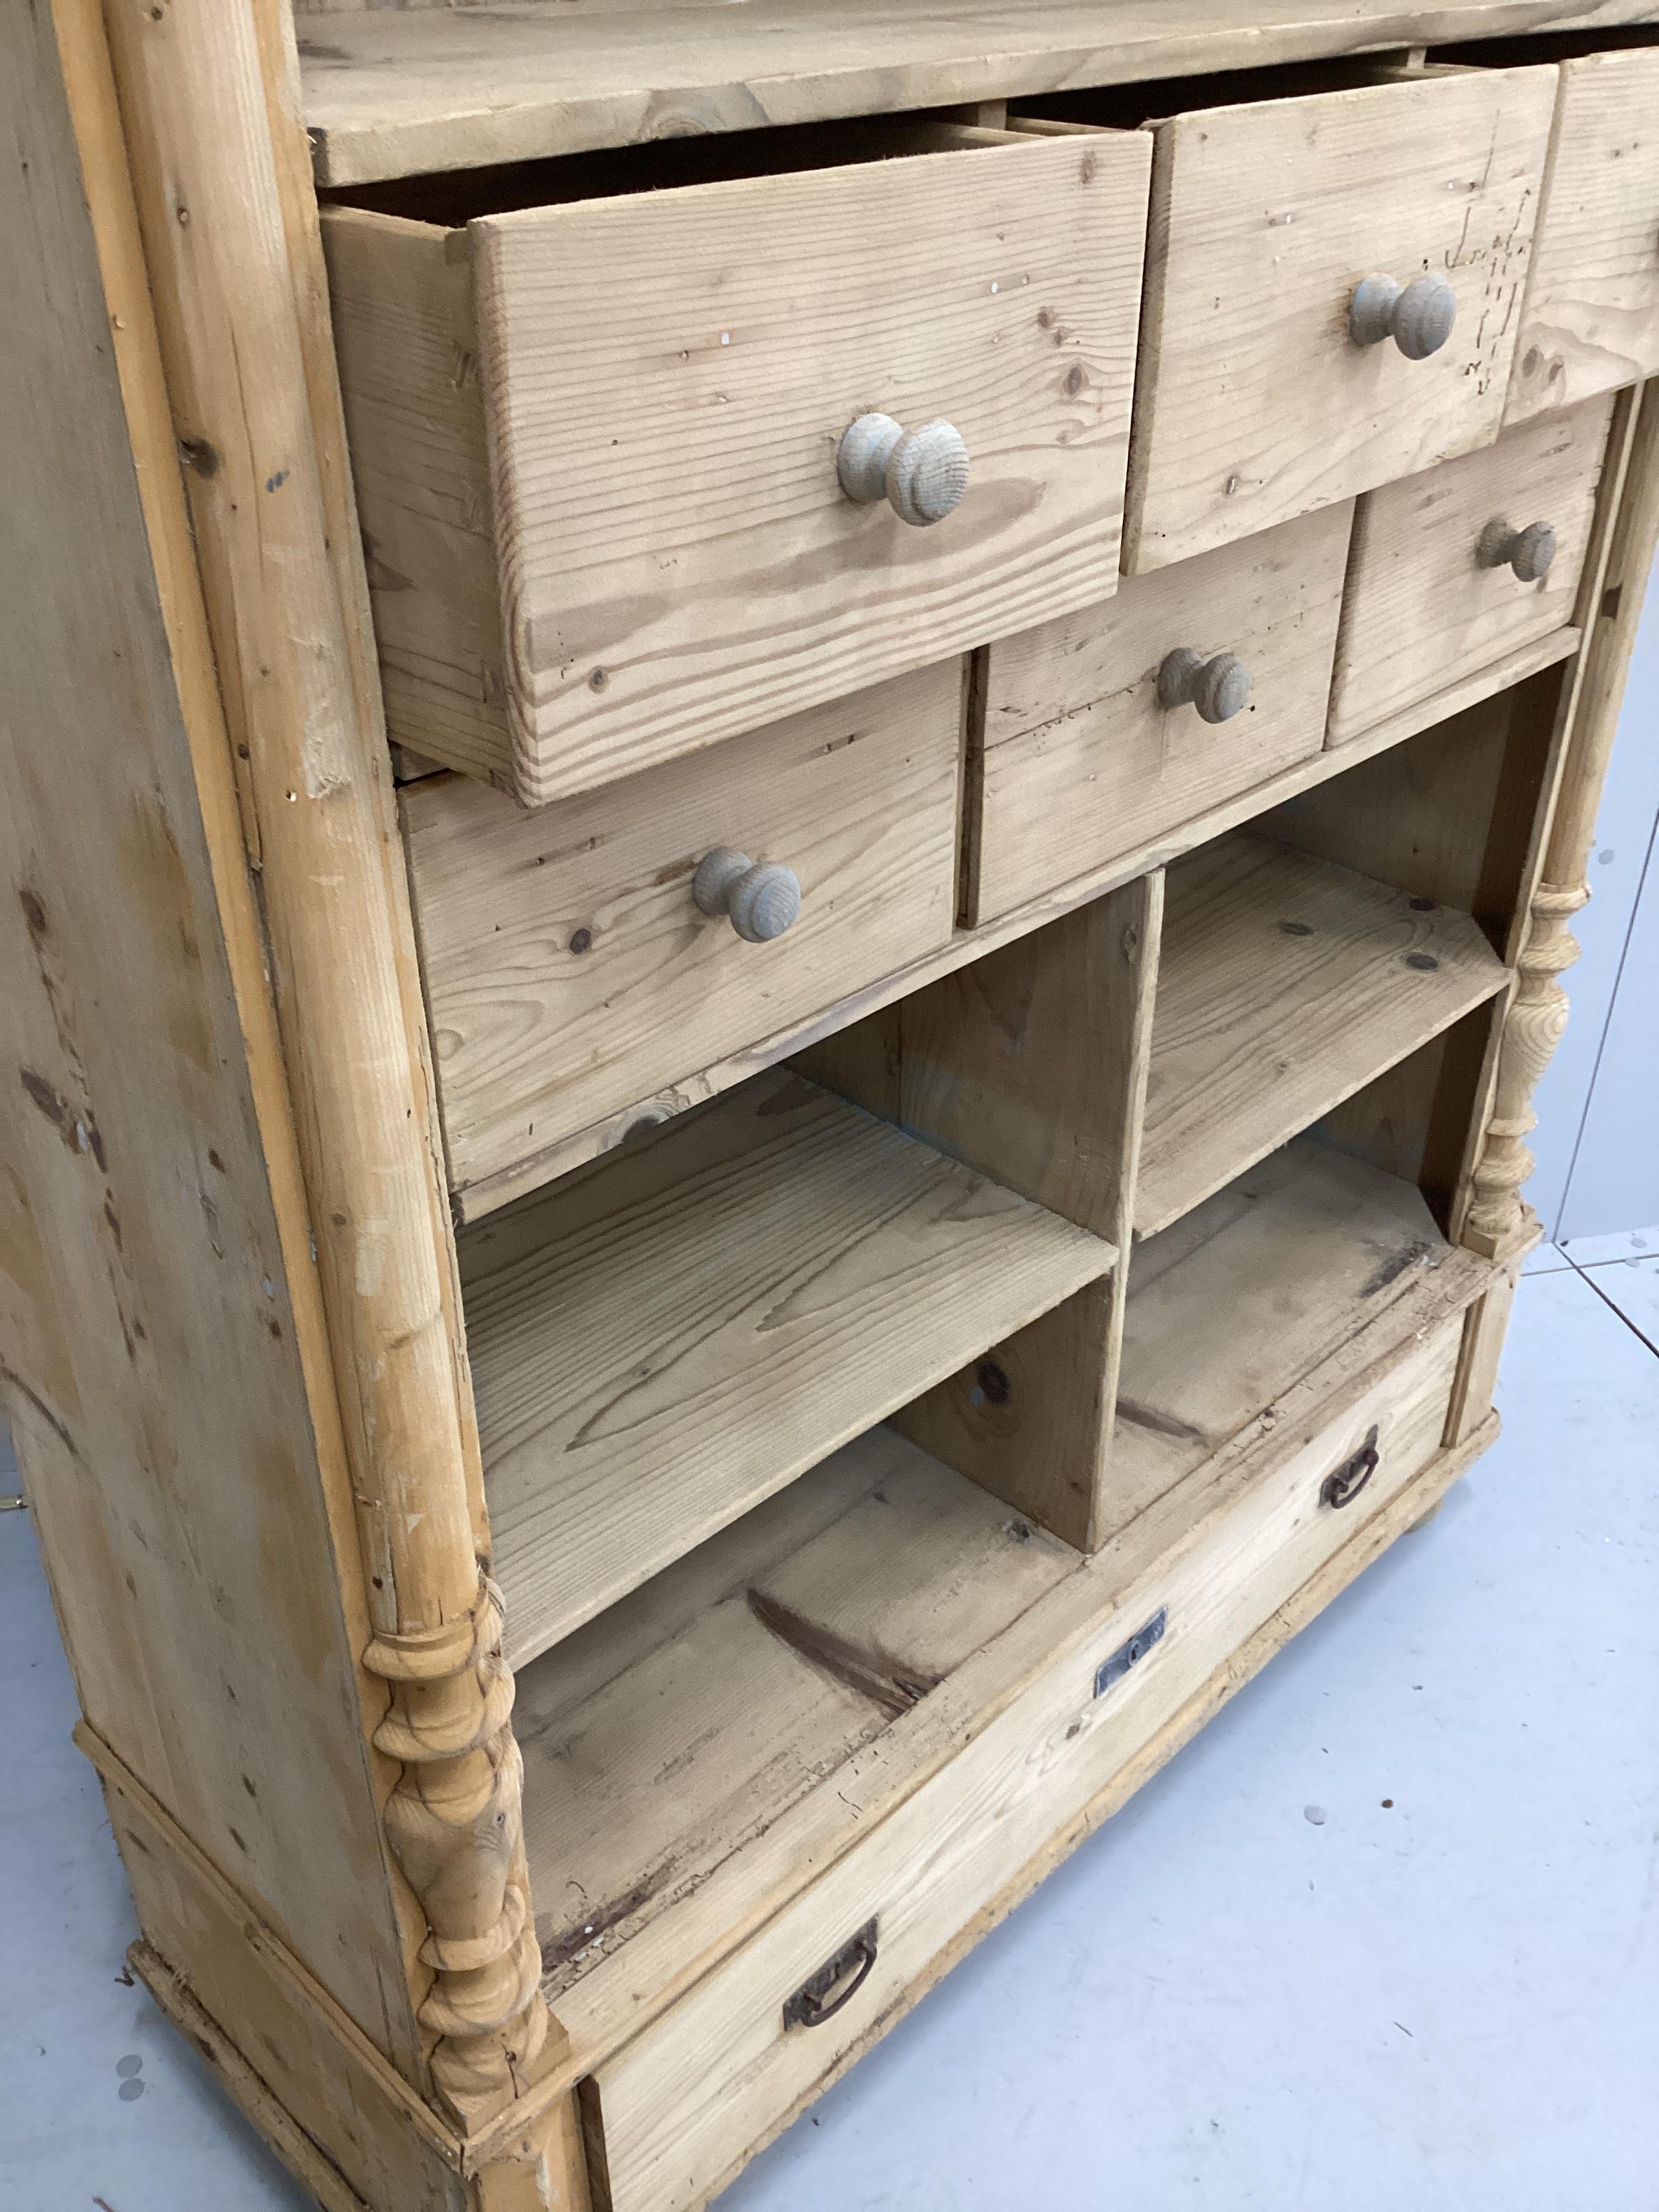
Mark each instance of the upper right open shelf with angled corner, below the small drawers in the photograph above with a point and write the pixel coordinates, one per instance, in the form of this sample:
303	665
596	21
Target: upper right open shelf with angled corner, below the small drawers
1286	985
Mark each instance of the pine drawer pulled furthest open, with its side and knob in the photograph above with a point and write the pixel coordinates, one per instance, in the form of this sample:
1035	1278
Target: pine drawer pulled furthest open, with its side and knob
601	424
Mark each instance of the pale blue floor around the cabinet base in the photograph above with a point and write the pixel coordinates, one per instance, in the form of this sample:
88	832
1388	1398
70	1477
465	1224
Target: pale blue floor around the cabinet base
1448	2001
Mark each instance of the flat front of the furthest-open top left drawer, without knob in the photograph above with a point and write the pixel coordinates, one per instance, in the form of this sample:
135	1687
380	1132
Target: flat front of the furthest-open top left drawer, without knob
669	377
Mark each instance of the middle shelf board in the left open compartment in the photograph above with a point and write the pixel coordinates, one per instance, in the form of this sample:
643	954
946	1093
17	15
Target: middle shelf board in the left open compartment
674	1335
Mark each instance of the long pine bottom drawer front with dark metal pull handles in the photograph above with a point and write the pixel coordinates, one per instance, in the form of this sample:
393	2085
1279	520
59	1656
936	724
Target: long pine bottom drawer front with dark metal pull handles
696	2096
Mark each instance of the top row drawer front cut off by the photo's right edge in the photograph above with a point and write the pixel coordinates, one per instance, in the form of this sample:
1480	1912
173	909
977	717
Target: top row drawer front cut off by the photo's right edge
1592	317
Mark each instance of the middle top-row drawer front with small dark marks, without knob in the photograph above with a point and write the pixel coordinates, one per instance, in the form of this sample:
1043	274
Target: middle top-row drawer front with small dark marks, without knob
1255	404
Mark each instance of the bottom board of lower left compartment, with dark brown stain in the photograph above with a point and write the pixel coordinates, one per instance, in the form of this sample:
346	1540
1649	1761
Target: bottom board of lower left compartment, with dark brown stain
773	1653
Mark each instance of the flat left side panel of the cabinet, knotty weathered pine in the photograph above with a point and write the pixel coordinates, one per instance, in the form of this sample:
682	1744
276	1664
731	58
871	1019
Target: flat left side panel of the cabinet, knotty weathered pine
147	1331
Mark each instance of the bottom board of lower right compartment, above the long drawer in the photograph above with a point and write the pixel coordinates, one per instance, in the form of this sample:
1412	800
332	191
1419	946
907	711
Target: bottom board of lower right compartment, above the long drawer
1246	1295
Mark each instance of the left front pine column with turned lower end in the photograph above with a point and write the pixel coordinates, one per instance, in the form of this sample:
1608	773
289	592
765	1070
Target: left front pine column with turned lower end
229	225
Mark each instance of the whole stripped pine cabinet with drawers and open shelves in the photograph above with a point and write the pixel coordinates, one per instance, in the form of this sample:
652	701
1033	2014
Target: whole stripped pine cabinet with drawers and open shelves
649	1388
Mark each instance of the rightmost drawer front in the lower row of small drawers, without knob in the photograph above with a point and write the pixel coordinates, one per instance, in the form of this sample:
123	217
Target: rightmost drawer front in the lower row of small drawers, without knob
1421	612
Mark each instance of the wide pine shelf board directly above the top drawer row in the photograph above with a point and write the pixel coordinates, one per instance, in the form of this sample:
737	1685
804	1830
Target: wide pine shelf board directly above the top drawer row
404	92
